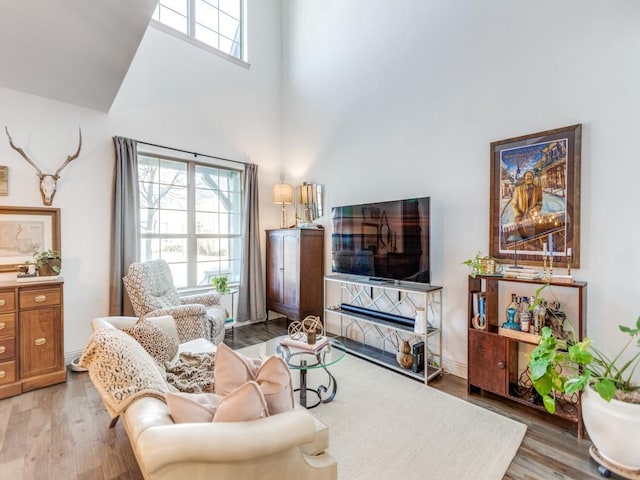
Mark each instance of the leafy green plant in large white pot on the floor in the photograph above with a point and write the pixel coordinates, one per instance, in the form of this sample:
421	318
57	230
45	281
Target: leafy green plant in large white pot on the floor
610	398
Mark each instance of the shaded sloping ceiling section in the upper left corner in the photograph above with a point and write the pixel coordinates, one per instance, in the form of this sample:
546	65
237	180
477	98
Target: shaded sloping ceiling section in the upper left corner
74	51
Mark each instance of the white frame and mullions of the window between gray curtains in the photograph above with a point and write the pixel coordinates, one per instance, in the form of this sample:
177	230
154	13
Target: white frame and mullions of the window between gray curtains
190	159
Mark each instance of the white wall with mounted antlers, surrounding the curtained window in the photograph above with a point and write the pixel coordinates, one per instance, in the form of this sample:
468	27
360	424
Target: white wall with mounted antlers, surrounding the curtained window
173	95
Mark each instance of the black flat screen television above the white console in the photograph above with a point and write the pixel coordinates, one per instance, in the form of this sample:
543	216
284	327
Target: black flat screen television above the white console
384	240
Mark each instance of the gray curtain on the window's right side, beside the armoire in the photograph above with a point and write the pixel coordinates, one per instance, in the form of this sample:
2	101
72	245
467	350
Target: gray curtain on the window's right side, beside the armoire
251	296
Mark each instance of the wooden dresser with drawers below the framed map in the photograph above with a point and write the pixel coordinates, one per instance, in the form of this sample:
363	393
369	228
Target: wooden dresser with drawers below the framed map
31	336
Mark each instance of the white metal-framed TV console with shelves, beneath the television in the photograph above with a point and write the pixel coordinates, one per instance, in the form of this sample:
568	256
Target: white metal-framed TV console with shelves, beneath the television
377	339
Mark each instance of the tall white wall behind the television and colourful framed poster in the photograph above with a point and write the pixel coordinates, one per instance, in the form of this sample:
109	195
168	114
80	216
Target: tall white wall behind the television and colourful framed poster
387	100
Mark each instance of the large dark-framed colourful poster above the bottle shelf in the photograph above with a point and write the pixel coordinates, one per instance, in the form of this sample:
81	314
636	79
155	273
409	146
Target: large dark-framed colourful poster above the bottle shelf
535	197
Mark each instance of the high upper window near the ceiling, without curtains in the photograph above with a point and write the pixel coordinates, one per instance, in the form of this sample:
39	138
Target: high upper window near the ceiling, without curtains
217	23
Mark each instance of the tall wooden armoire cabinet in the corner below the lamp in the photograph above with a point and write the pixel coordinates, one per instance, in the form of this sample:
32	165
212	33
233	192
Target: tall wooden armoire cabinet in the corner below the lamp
295	271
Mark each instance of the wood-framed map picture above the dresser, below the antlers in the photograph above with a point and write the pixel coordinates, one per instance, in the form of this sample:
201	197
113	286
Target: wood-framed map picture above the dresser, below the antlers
25	231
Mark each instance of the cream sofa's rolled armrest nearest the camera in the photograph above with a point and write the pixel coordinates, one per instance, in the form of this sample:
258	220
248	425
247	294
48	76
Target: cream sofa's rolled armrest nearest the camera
224	443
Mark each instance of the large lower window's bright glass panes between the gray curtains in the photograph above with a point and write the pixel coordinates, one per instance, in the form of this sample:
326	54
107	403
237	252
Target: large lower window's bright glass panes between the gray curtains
190	215
